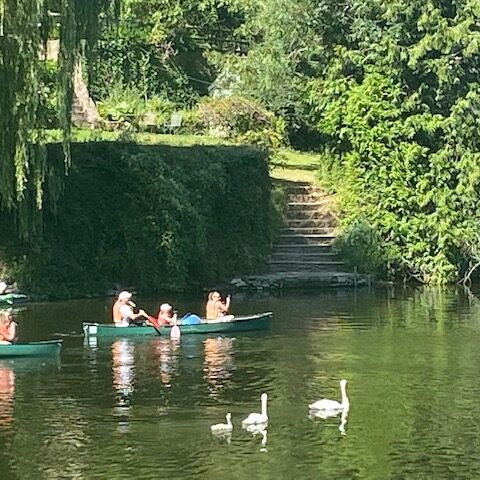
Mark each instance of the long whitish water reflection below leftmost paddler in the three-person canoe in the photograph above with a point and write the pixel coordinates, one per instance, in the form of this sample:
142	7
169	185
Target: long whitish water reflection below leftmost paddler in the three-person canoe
123	370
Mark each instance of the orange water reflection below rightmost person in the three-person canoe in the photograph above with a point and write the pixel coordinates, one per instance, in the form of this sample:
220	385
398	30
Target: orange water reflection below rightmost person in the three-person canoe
218	364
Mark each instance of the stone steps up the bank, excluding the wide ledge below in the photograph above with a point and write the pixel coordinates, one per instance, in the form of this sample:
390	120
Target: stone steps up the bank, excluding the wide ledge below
305	242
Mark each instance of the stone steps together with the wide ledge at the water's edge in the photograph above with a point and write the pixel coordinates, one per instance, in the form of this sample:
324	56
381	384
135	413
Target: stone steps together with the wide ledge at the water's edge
302	256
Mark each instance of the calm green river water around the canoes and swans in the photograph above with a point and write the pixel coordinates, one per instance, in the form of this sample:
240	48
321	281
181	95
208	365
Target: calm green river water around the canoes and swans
142	408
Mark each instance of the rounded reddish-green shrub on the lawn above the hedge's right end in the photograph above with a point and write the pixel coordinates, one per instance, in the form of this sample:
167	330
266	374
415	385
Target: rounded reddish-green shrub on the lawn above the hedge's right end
242	120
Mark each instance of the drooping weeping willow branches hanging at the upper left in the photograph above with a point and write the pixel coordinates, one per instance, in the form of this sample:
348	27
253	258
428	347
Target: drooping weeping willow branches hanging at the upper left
24	26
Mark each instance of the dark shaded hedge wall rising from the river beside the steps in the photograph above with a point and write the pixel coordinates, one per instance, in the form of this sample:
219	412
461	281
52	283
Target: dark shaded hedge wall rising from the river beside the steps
152	217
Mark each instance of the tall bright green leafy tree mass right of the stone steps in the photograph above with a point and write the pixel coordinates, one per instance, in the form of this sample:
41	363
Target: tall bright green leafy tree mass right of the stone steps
397	111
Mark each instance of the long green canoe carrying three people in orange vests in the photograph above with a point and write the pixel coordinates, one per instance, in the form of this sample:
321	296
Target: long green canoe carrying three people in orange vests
238	324
